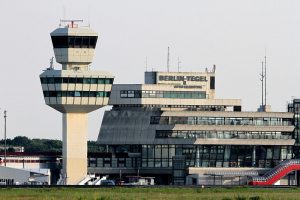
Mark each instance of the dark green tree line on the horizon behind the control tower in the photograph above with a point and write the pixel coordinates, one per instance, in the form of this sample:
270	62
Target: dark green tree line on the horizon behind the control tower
41	145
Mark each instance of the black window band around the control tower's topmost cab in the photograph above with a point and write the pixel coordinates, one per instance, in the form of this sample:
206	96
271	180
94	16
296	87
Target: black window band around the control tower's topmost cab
74	41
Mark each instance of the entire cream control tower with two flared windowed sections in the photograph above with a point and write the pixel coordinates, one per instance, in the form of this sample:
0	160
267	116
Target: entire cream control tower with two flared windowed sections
75	90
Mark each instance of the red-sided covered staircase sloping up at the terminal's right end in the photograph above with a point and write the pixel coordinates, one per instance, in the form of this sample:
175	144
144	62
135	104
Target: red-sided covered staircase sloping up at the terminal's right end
275	174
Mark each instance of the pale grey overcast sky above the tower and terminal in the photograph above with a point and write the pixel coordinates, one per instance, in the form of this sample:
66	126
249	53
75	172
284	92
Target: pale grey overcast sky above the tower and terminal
232	34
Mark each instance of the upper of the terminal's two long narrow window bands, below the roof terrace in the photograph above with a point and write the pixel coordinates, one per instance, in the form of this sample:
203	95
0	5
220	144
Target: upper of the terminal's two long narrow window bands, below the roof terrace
266	121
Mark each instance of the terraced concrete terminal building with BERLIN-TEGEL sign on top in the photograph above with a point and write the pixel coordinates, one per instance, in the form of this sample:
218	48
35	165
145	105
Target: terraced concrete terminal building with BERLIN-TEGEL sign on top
174	129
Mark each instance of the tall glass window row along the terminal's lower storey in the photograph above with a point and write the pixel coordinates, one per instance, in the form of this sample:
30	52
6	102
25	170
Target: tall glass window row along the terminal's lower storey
215	155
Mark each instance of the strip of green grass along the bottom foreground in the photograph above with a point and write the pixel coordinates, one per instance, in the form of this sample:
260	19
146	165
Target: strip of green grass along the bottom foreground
125	193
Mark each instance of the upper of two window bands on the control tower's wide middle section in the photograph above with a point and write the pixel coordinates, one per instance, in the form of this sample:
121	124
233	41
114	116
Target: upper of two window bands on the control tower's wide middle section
76	80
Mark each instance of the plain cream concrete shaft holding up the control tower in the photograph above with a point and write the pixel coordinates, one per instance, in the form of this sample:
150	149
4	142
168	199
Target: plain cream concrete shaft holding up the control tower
74	147
